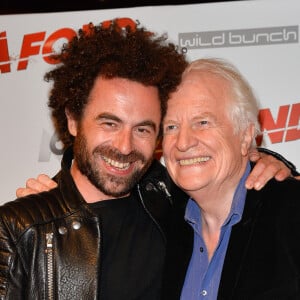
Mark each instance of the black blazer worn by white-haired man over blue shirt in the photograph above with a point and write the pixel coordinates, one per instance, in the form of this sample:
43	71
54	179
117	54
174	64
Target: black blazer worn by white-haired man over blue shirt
263	256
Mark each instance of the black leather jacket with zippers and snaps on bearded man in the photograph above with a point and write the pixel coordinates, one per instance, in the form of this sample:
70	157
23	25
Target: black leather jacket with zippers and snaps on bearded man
40	254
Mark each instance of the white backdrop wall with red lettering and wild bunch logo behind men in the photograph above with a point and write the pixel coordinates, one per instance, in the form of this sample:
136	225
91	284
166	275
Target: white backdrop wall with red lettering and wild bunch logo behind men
260	37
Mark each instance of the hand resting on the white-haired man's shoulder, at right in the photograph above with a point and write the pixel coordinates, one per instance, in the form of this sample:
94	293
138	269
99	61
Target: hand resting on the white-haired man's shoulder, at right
265	169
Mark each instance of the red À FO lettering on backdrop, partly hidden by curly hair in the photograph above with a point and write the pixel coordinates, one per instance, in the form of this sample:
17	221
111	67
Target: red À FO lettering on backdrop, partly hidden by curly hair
39	43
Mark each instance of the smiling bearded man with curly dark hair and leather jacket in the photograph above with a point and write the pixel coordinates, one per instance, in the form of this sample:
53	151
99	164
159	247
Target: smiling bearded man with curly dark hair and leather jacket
108	99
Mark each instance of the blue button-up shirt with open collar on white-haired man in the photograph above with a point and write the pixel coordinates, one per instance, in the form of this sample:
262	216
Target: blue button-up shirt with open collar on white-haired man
203	277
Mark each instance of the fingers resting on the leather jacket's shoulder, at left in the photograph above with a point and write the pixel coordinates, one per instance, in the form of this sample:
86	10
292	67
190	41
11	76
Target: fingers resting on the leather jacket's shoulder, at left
33	186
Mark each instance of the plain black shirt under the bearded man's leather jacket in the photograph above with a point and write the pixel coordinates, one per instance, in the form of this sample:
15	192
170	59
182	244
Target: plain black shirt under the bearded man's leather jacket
131	246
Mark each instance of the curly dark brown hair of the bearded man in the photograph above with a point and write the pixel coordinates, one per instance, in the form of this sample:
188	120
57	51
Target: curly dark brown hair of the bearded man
110	51
